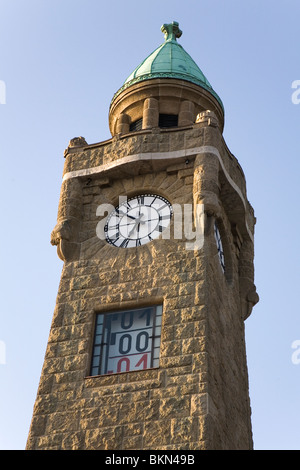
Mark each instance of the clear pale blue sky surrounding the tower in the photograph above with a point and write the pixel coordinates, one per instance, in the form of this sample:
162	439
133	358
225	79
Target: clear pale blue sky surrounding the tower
61	61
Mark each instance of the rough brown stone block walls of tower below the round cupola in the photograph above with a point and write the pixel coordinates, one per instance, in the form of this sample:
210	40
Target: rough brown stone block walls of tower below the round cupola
198	396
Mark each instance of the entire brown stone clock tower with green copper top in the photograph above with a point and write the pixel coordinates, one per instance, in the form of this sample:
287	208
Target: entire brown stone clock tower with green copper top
147	344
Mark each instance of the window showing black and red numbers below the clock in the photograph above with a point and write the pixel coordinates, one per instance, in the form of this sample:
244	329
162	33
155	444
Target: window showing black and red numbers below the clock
127	340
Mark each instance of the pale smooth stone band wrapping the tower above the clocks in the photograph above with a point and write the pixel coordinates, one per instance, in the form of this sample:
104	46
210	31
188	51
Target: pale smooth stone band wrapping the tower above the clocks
153	157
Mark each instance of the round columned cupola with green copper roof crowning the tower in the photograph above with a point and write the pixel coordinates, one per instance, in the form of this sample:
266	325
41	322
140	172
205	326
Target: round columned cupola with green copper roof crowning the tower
167	89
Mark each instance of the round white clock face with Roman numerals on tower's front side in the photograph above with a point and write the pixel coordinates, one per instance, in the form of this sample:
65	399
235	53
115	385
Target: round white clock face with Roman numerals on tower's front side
138	220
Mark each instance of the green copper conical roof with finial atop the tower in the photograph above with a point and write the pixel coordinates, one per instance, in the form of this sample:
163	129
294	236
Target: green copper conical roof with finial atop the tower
169	60
